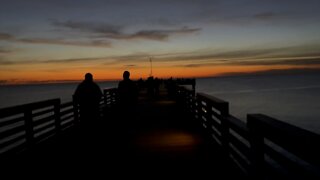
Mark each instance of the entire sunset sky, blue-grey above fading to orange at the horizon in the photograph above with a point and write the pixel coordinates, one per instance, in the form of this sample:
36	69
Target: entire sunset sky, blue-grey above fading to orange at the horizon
45	40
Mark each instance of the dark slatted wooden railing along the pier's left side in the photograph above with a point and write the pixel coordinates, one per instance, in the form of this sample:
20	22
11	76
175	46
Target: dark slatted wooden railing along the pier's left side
23	127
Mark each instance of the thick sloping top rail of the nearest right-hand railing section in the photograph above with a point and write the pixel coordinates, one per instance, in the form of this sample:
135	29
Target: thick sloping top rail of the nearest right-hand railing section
296	140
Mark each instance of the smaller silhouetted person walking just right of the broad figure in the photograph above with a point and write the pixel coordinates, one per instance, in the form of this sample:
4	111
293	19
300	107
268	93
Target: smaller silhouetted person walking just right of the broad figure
128	91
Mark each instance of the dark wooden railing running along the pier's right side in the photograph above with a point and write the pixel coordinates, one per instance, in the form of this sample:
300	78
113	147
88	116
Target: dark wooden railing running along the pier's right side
262	147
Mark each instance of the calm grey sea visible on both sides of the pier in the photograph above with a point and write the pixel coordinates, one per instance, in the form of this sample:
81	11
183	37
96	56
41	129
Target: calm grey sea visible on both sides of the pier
291	98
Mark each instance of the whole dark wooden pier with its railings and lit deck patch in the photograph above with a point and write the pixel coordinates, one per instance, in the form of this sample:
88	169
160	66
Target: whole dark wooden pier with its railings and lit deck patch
177	132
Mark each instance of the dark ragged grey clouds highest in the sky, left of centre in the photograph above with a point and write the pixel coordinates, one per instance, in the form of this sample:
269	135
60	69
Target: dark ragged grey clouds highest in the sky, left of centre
99	34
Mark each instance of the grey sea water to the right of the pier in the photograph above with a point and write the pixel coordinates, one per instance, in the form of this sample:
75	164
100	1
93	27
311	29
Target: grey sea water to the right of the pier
293	98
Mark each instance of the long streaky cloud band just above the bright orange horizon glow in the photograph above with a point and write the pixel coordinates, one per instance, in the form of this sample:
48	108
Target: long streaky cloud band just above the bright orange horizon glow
292	55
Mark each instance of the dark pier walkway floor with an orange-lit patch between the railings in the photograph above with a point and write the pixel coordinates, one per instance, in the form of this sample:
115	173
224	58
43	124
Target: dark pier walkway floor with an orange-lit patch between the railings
155	138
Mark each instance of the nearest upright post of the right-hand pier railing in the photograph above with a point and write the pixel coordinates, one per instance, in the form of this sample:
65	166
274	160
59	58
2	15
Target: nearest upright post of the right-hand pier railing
256	147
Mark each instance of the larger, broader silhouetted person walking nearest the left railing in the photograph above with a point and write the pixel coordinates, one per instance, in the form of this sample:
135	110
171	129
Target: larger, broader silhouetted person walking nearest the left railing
88	95
